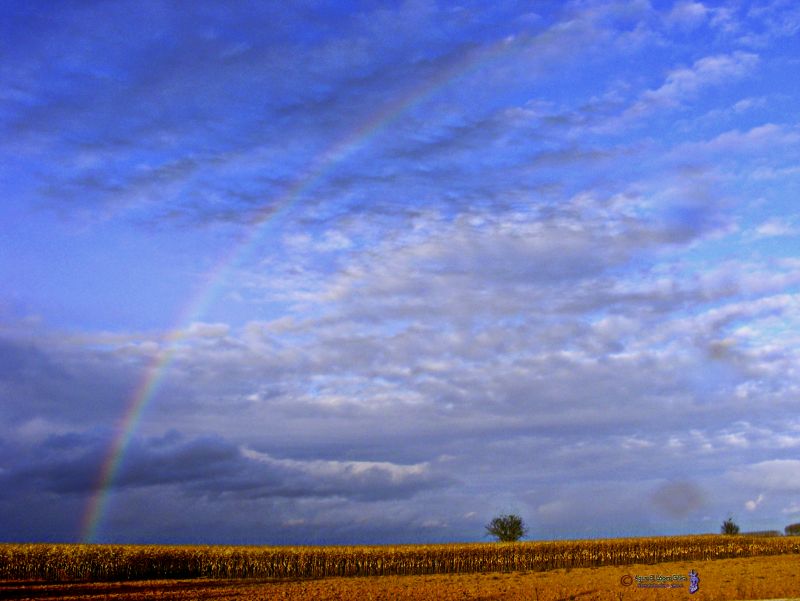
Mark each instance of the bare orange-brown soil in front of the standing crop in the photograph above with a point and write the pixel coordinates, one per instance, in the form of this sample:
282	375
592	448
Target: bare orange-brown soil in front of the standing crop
724	579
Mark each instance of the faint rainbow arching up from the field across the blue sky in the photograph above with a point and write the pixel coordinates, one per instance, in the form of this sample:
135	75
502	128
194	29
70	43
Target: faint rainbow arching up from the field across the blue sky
321	166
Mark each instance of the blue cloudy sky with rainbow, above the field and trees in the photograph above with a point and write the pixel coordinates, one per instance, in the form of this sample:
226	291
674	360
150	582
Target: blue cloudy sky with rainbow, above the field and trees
375	272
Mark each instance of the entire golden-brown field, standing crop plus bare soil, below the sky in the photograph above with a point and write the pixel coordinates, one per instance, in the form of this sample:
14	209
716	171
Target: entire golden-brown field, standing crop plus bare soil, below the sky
729	568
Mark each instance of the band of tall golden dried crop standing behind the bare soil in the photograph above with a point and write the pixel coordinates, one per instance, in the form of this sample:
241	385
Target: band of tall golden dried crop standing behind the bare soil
67	562
